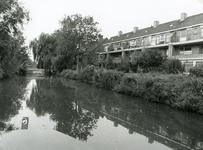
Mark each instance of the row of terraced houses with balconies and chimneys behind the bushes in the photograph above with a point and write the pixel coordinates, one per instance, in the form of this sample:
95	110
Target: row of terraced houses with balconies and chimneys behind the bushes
181	39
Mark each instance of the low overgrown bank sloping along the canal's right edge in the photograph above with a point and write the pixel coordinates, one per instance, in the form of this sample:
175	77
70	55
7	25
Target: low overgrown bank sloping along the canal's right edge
179	91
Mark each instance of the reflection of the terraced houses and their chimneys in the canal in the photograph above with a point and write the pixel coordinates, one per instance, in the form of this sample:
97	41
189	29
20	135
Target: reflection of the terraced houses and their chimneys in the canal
162	134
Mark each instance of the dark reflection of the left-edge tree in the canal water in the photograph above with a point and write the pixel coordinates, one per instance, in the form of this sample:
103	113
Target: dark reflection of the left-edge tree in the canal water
11	92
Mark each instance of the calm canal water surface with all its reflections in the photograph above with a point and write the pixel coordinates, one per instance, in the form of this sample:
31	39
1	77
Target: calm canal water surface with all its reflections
102	119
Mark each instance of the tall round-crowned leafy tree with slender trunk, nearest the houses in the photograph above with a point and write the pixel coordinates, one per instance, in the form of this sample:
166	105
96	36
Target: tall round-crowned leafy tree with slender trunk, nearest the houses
82	32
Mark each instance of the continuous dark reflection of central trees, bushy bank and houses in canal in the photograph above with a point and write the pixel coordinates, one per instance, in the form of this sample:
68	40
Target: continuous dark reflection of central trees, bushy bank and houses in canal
75	107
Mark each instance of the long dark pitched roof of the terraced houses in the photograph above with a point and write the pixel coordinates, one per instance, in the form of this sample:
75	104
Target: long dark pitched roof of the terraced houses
172	25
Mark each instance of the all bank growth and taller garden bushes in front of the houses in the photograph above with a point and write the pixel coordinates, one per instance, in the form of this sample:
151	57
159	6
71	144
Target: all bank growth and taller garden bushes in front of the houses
160	81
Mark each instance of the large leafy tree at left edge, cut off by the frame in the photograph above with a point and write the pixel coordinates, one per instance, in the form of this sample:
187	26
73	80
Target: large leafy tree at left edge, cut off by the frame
12	18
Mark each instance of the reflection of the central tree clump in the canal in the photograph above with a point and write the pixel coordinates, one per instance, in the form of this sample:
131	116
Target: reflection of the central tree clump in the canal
50	97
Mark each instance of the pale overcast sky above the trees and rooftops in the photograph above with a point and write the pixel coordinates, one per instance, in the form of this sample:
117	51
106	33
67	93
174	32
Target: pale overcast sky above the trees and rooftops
112	15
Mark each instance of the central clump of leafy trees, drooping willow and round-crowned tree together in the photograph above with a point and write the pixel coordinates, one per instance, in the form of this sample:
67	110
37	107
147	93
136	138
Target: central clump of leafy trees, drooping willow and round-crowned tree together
61	49
